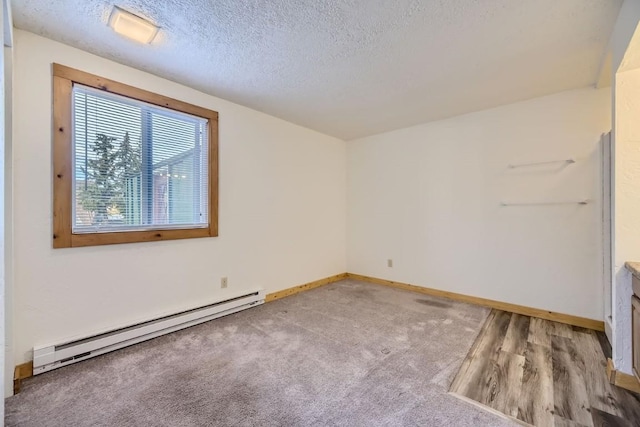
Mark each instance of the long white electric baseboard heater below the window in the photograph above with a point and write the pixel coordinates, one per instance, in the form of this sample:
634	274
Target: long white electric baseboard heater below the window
46	358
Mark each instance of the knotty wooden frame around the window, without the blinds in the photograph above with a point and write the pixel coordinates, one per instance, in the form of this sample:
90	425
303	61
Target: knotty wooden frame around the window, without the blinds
63	236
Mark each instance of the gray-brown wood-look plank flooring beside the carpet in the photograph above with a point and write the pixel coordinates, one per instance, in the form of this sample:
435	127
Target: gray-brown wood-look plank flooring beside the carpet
544	373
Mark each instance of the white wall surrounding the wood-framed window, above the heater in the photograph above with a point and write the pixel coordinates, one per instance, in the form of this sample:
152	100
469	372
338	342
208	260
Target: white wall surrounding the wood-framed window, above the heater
282	214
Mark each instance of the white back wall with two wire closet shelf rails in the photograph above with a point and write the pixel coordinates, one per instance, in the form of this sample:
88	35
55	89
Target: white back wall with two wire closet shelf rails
429	196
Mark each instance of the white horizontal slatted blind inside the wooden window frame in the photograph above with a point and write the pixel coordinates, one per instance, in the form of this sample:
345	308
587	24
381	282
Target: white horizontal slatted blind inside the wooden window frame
136	166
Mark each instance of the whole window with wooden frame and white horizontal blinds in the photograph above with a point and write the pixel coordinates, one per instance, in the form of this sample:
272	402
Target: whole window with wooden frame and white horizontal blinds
129	165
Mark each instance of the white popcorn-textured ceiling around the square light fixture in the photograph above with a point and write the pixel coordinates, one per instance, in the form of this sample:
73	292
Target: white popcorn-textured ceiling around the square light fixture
350	68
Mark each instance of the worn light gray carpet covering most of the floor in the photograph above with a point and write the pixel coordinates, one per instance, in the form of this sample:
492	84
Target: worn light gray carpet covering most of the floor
346	354
